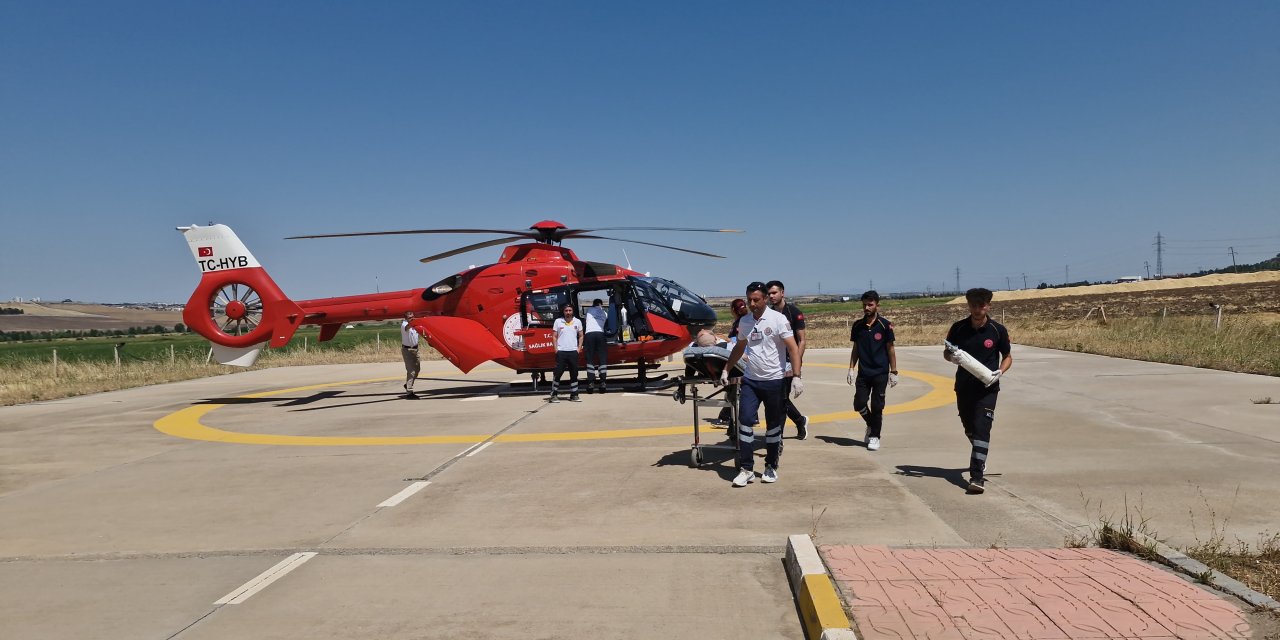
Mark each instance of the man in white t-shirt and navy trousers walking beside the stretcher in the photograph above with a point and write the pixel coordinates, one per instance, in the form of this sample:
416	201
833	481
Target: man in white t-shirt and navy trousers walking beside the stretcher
764	336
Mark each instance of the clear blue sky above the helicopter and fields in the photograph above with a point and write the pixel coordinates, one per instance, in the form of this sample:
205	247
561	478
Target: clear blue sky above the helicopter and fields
856	143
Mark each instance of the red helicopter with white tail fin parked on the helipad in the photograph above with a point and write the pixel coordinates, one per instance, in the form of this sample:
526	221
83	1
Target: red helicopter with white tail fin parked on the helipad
504	312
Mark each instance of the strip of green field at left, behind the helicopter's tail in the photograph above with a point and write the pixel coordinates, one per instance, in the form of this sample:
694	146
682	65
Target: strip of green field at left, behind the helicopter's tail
185	345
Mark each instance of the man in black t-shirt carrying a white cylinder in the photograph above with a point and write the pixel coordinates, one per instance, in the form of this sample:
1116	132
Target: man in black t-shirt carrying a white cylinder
988	341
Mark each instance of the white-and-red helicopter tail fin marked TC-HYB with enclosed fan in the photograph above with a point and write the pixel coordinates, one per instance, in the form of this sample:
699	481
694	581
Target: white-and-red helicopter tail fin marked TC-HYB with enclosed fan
236	305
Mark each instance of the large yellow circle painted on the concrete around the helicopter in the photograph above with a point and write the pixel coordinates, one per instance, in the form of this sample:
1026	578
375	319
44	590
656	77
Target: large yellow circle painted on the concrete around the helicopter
186	423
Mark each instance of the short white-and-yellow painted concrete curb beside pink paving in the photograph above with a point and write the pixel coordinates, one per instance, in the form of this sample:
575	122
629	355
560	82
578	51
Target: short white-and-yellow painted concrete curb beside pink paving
821	612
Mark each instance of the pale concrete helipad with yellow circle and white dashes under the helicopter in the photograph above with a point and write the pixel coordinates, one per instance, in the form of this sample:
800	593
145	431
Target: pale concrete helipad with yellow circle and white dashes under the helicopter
317	502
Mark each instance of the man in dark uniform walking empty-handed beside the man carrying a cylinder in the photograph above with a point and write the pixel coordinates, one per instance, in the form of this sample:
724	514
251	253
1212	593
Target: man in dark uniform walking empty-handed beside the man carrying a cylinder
877	367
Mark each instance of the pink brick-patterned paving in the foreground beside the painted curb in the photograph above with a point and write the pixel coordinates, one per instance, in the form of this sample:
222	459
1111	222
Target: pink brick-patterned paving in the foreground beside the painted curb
1027	595
